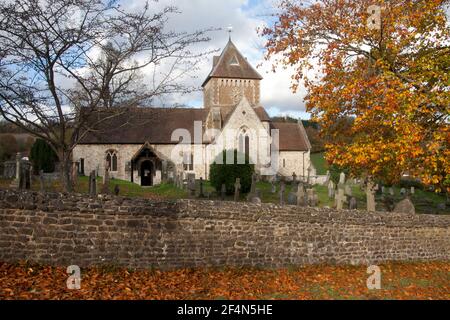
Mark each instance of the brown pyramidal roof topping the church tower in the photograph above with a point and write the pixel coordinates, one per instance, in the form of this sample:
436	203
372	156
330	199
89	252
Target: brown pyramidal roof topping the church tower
232	64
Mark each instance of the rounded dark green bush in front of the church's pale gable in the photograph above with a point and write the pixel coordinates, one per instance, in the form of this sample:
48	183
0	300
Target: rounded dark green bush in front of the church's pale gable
227	173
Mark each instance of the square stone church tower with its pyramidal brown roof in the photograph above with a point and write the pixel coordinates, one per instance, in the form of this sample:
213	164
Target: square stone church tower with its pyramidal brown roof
231	77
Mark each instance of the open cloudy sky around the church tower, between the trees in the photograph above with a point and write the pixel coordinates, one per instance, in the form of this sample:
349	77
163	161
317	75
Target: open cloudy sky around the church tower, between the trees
245	16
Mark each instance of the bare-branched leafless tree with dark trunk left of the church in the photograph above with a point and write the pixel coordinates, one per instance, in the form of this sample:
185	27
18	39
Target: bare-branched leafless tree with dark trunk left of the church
62	60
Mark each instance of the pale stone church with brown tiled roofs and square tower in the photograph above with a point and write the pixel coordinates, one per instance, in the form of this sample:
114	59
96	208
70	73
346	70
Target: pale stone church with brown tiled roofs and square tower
150	145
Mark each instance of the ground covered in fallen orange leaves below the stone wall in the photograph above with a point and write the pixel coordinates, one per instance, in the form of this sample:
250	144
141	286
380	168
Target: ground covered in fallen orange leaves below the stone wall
399	281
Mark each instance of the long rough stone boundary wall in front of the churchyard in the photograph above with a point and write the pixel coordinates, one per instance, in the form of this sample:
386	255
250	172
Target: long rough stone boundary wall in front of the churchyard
61	229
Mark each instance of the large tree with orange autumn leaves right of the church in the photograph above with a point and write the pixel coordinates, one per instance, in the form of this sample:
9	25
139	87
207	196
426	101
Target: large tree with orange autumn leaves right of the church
386	64
